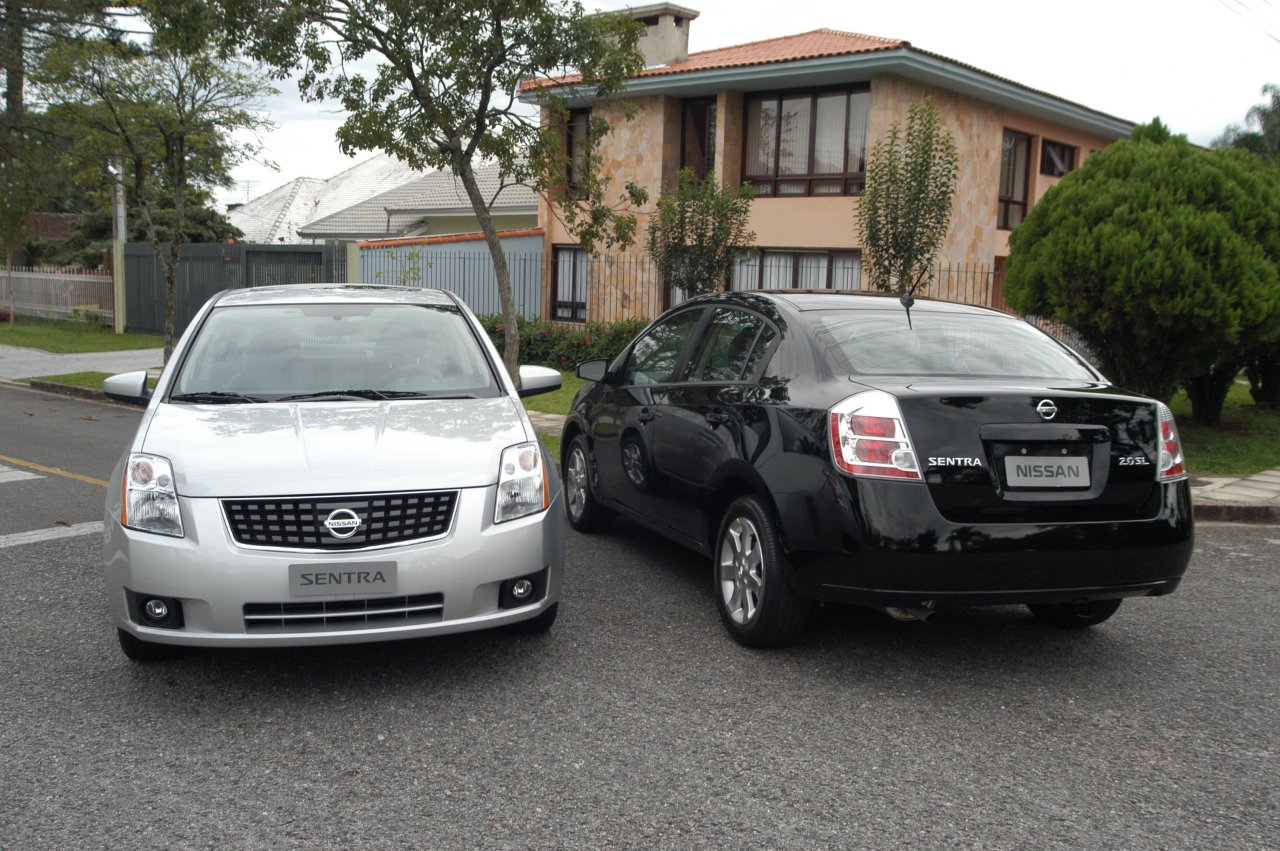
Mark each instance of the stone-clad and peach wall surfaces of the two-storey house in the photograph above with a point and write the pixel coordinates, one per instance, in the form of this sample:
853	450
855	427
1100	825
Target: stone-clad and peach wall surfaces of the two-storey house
647	150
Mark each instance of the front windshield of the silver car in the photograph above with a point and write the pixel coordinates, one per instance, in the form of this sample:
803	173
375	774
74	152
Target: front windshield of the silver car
269	353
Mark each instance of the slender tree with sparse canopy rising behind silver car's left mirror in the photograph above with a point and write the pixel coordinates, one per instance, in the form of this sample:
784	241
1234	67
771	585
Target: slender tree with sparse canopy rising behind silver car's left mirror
171	120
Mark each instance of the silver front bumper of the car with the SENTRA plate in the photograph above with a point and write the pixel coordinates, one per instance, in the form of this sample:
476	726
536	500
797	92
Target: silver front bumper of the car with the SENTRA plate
214	579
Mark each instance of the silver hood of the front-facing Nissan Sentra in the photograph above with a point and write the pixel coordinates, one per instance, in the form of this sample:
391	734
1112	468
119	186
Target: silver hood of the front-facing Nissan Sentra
333	447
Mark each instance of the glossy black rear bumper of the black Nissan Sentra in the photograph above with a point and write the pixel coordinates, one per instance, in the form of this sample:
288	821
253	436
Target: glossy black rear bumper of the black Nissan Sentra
884	543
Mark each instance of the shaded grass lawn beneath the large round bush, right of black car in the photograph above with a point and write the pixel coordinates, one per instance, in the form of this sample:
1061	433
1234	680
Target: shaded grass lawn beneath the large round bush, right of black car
1246	442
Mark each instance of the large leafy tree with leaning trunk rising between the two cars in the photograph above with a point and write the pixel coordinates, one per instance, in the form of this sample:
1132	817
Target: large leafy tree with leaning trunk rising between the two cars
435	84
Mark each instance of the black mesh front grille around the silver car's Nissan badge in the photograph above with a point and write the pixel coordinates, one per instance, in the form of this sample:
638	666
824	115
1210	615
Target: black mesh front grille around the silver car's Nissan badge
298	523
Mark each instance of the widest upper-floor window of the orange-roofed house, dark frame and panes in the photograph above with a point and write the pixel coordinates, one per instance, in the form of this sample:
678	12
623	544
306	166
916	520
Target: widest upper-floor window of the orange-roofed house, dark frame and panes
807	144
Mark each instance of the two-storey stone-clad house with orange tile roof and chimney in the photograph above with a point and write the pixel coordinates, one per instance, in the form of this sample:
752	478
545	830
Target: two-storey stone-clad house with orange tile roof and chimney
797	117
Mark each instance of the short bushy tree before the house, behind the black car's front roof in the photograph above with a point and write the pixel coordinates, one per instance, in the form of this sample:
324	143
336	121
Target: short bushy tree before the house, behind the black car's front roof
698	231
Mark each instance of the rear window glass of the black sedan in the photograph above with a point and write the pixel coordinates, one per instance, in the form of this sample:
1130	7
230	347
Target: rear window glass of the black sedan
881	344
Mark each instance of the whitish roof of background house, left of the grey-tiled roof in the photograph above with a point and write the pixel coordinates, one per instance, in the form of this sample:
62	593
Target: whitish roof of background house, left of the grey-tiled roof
276	217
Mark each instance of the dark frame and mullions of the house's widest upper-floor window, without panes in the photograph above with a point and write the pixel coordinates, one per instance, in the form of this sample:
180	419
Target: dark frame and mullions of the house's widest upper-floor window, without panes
852	182
